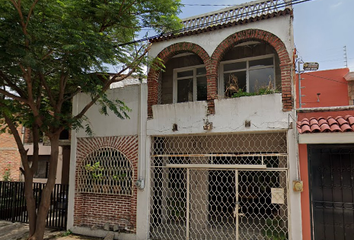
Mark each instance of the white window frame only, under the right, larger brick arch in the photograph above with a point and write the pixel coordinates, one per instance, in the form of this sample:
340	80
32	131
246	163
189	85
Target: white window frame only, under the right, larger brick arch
221	82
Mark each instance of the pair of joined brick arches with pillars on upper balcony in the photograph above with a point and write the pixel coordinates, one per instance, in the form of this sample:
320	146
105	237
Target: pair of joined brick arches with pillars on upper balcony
212	64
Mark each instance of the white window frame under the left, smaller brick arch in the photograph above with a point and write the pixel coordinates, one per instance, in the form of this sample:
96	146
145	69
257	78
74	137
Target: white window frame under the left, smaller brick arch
195	76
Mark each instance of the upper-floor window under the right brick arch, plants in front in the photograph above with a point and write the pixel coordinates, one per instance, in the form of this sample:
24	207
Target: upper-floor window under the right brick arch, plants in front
247	75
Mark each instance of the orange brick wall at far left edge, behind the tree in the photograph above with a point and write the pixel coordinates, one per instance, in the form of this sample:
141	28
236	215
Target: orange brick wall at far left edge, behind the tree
10	159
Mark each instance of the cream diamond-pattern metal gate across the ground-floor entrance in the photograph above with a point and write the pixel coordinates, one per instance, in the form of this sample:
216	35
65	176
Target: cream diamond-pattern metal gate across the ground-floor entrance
230	190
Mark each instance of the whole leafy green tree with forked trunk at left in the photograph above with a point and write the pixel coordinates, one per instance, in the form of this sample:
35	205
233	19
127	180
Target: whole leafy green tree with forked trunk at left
52	50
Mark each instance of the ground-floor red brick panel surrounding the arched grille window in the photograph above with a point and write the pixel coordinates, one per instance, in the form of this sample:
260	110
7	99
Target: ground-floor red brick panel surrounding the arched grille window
98	209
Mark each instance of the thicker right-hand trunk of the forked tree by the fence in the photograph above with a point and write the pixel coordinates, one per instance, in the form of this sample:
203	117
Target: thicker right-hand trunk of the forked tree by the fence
47	191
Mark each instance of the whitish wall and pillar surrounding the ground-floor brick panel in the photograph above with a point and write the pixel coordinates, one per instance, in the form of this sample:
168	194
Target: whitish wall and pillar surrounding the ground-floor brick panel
135	97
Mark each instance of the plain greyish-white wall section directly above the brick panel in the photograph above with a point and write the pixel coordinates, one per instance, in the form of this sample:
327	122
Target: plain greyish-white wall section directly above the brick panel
111	125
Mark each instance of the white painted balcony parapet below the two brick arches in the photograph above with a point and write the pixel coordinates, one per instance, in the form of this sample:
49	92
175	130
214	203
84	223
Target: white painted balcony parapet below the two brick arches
264	112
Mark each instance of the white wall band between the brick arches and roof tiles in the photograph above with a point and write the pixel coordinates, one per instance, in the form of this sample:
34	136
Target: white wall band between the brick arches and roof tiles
280	26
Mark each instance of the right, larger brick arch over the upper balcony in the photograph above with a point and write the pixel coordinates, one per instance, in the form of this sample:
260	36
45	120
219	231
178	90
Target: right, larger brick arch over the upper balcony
272	40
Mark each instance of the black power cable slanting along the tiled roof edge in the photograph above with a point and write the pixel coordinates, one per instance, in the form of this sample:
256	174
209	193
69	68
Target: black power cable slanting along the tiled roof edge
275	7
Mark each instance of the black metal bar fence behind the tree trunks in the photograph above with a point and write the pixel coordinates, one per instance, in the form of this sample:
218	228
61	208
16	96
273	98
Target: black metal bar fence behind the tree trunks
13	203
